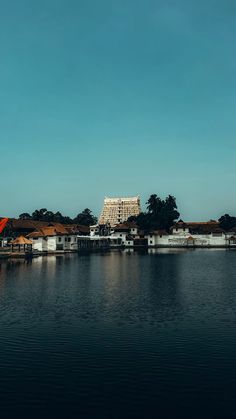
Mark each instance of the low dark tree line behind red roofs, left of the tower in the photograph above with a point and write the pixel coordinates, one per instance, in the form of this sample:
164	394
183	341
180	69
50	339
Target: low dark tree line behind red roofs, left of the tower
85	217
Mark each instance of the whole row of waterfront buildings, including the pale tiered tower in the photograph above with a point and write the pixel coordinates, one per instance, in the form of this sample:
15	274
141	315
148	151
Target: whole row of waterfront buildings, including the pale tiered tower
115	231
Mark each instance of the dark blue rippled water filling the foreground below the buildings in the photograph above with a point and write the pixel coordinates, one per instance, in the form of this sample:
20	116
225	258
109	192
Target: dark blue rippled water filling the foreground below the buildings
119	335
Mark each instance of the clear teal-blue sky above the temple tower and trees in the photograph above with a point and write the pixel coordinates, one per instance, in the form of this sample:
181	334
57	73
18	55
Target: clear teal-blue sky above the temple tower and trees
117	97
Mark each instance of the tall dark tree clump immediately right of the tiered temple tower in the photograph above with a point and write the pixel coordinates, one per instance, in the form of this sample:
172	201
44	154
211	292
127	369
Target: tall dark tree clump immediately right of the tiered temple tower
160	214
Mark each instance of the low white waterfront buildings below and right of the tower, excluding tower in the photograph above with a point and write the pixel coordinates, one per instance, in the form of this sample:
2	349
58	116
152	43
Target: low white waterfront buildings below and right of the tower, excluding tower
182	234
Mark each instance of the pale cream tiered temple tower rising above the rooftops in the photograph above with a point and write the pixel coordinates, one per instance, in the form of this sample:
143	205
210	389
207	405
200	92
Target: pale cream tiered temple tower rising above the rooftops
118	210
